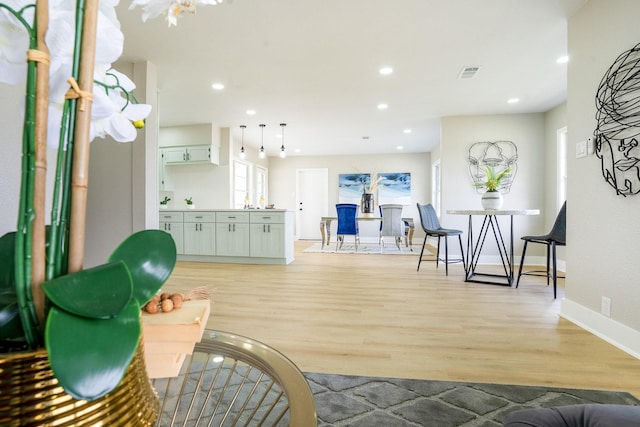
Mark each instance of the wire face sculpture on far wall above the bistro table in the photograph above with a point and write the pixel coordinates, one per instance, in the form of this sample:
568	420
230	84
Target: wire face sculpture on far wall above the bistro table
500	155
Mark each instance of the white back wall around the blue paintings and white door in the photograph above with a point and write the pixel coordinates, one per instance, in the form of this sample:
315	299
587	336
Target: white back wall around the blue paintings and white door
282	179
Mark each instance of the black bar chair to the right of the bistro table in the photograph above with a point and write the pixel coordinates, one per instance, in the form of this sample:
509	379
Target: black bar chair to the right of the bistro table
556	237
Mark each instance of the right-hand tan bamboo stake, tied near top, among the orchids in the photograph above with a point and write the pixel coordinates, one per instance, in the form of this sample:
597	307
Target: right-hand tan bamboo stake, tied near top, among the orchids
80	176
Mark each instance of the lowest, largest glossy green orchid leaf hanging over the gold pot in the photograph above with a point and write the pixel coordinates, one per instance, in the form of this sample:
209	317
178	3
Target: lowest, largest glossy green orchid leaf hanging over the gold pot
89	357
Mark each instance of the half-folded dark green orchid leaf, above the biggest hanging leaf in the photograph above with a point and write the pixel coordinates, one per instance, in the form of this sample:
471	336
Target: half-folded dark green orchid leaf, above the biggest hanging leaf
98	293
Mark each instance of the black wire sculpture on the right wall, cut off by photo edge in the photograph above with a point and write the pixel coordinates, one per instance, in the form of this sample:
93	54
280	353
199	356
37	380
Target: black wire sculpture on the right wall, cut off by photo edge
618	127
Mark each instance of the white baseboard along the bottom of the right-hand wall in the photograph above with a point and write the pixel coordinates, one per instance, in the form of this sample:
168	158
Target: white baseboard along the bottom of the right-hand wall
615	333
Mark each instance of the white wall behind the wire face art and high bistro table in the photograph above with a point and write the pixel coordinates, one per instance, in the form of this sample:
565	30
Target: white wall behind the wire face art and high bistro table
526	131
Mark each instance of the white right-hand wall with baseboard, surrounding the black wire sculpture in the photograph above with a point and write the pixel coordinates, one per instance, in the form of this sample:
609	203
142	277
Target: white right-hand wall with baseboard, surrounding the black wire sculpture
602	228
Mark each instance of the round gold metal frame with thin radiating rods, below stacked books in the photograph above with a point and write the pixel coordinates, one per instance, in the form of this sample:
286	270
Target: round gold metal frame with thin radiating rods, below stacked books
231	380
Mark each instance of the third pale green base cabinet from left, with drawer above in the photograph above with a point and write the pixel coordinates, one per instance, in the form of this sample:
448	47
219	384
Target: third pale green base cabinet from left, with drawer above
232	233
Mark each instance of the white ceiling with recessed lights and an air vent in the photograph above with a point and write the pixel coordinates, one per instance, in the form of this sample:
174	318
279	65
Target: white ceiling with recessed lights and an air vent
314	65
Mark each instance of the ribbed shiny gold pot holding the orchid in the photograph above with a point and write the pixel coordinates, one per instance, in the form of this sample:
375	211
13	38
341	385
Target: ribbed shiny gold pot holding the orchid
31	396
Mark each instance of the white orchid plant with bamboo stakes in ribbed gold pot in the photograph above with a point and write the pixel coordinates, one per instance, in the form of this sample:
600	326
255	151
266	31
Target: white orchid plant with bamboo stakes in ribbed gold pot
75	330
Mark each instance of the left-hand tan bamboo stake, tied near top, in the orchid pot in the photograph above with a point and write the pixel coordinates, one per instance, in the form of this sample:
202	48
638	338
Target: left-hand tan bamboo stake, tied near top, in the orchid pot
42	107
